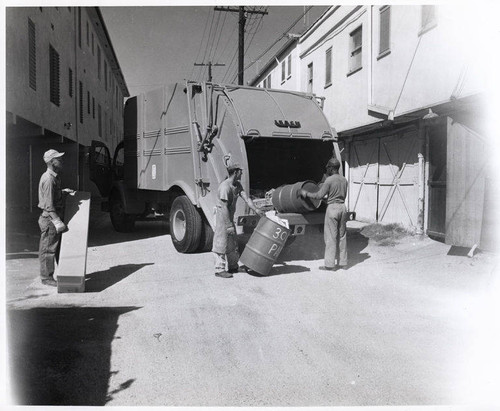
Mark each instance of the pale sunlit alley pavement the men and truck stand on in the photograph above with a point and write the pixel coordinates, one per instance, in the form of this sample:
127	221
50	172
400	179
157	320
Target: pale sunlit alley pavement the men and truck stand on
414	323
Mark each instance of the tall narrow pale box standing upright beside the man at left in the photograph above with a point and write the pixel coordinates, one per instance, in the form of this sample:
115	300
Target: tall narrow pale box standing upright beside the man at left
70	271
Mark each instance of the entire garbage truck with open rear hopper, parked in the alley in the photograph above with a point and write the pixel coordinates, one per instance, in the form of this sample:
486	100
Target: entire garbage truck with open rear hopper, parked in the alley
177	142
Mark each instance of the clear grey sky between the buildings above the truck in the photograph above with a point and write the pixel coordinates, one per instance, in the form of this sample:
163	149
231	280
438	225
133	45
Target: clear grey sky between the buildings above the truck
158	45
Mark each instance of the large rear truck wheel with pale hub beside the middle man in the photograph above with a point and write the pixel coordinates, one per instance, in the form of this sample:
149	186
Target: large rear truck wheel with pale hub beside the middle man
185	225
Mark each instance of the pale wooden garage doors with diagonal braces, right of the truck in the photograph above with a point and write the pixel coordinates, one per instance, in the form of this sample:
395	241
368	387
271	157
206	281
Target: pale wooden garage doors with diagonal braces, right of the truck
383	177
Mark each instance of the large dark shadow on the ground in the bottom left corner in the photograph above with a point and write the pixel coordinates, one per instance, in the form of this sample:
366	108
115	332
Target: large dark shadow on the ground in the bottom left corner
61	356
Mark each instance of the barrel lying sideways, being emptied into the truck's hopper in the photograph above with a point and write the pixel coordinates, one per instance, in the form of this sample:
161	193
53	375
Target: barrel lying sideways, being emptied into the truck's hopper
286	198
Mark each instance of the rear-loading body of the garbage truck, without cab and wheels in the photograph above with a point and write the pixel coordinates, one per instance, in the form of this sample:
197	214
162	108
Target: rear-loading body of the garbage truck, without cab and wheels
181	136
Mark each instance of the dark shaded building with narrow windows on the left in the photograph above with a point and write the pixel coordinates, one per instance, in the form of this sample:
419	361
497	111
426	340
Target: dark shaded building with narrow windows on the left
64	88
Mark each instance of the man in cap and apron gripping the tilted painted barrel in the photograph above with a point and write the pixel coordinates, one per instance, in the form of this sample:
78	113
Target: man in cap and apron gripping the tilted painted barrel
224	245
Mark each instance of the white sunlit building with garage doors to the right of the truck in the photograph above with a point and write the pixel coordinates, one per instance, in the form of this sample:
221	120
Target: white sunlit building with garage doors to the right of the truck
406	96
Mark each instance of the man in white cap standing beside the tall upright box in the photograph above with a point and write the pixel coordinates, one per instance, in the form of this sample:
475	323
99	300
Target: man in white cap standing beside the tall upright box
50	201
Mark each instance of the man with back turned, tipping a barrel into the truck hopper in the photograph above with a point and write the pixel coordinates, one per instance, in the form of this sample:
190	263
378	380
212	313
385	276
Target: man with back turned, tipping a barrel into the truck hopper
335	186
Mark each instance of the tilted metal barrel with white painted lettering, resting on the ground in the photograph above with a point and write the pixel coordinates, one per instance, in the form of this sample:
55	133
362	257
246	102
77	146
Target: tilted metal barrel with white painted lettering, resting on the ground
264	246
